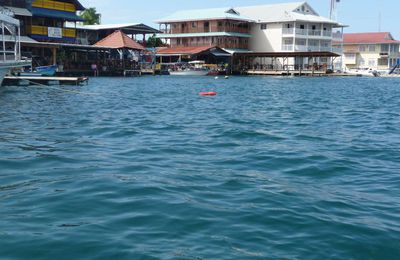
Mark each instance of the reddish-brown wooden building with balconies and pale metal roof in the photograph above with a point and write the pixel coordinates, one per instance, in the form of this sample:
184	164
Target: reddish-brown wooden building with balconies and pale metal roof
224	27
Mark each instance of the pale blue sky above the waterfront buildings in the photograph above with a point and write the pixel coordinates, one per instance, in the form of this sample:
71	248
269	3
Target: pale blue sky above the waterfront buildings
361	15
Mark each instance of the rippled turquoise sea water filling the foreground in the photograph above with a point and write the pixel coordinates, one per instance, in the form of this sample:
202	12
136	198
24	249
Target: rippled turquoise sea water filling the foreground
145	168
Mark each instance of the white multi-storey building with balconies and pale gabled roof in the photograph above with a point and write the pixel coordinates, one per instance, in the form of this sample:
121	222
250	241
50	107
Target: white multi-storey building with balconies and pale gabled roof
291	27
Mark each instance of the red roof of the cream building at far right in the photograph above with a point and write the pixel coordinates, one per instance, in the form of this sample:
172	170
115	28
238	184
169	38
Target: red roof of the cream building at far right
368	38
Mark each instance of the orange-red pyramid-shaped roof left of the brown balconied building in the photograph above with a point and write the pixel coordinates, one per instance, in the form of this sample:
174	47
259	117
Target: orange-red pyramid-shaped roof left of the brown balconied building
119	40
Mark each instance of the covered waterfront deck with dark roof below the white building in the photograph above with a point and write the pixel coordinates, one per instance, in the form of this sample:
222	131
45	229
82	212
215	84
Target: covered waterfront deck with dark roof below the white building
278	63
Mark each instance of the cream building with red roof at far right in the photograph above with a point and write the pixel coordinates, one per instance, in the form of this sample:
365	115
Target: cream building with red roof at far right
374	50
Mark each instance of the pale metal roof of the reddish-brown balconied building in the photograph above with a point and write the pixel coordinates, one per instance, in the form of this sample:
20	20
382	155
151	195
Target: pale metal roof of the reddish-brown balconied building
204	14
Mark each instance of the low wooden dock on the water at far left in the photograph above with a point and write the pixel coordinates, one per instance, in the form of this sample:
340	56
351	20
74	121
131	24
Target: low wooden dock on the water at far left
32	80
